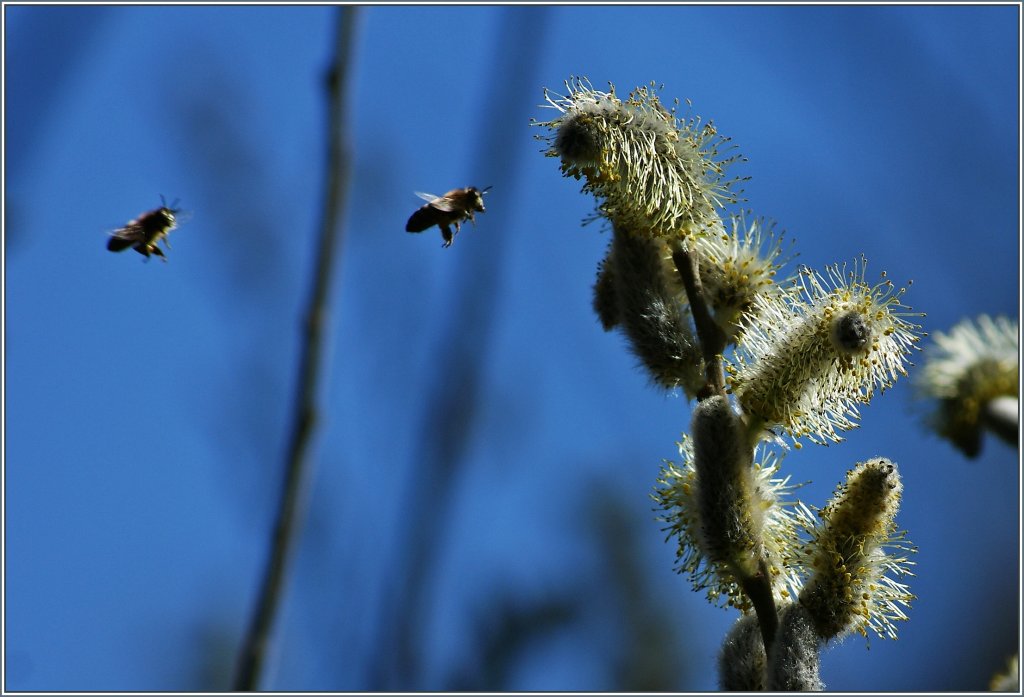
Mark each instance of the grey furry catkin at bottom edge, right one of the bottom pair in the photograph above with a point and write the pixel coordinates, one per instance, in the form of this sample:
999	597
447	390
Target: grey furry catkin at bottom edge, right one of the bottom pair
795	661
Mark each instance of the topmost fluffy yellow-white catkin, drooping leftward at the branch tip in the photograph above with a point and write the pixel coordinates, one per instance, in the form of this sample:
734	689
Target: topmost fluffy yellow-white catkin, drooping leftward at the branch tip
654	173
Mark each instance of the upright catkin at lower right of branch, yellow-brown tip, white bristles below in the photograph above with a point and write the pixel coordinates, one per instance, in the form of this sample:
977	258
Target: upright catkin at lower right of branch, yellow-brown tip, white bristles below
856	554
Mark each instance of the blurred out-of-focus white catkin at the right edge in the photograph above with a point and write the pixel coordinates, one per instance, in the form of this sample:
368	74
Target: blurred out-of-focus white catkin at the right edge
972	373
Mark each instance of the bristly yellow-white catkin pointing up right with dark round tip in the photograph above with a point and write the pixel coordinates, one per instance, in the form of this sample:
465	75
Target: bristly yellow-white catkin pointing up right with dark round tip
810	356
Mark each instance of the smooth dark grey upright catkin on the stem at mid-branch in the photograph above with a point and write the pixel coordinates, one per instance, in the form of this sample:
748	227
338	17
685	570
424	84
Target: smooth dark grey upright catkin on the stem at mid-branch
723	461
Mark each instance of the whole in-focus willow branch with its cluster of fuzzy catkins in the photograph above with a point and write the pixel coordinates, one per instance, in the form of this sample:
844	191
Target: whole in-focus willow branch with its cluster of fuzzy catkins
699	294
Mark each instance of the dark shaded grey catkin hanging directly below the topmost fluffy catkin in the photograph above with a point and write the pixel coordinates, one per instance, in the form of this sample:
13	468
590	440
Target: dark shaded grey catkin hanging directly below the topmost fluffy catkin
651	314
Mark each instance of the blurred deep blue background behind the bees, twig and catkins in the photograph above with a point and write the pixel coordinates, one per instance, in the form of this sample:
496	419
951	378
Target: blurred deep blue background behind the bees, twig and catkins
478	426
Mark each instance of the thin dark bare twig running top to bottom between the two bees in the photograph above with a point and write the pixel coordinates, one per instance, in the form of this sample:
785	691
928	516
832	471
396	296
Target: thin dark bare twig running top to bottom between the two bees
254	651
